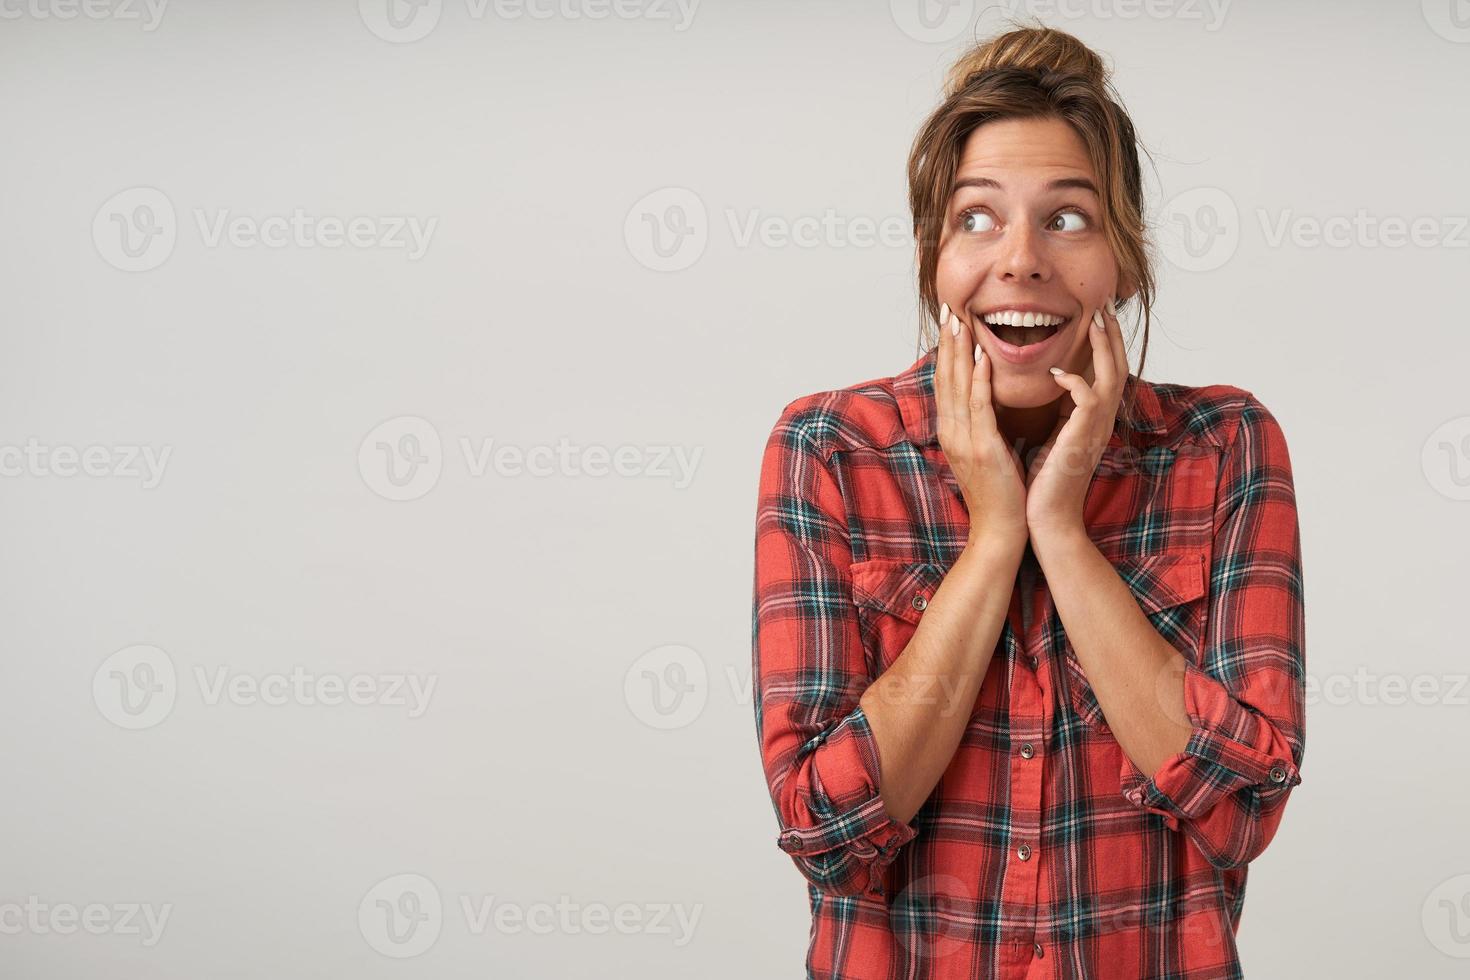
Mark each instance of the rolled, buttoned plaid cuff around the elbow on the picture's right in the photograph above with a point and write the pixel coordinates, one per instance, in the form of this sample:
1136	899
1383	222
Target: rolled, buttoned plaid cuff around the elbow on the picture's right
1231	749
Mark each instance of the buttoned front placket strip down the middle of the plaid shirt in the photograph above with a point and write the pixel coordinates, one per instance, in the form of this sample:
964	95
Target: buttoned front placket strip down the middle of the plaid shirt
1030	671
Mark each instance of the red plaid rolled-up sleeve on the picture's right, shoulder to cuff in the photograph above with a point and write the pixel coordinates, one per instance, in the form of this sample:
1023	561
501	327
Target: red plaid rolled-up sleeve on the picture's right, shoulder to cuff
1246	697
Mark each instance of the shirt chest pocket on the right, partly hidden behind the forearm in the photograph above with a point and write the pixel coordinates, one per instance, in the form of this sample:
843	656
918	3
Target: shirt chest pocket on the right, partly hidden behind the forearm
1171	591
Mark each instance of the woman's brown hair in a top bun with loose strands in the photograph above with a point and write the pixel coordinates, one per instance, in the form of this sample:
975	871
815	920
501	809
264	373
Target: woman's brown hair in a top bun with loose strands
1027	74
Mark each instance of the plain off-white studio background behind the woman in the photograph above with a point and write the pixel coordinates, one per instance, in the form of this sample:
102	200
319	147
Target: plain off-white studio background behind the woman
528	140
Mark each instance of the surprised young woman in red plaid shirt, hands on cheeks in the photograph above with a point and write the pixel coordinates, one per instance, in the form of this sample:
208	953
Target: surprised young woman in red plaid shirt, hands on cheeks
1028	630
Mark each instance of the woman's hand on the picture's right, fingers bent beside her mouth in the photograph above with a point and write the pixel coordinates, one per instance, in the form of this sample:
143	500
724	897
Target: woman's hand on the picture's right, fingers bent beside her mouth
1059	477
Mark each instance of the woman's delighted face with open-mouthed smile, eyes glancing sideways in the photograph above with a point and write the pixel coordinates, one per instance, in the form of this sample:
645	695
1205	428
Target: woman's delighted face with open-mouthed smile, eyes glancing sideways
1024	236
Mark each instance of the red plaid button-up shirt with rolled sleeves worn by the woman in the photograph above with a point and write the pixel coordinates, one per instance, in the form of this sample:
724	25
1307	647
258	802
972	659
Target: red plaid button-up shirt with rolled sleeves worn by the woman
1043	851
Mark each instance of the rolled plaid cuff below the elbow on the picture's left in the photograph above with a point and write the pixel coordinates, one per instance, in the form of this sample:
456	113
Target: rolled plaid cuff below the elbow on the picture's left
846	800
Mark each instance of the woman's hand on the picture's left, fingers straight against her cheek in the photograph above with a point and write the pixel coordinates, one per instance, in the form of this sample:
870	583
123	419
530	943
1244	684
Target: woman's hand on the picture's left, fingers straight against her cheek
989	471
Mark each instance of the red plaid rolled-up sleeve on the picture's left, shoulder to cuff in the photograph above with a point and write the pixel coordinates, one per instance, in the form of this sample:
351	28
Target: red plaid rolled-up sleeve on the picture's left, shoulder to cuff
809	669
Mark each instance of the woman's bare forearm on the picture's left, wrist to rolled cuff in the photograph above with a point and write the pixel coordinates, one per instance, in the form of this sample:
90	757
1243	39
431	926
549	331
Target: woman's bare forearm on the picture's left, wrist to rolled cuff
921	706
